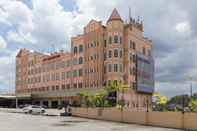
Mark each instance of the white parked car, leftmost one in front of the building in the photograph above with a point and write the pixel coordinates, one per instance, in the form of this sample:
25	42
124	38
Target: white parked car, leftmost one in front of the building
33	109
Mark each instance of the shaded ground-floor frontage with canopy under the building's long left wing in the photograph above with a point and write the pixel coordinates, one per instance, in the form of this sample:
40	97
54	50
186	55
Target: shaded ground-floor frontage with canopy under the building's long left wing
53	99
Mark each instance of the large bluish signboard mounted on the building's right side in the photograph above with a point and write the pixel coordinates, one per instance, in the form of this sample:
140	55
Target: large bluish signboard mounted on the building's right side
145	74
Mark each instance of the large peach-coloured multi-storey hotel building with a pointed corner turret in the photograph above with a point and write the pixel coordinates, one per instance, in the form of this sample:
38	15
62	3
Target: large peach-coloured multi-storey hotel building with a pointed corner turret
103	53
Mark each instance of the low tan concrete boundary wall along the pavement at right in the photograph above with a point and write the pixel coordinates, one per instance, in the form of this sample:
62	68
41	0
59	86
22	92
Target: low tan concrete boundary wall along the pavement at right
162	119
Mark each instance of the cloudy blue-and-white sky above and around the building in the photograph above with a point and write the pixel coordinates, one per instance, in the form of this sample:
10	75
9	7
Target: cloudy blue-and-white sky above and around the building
48	25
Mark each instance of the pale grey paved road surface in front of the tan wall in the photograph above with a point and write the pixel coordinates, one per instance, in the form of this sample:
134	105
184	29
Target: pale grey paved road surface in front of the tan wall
26	122
